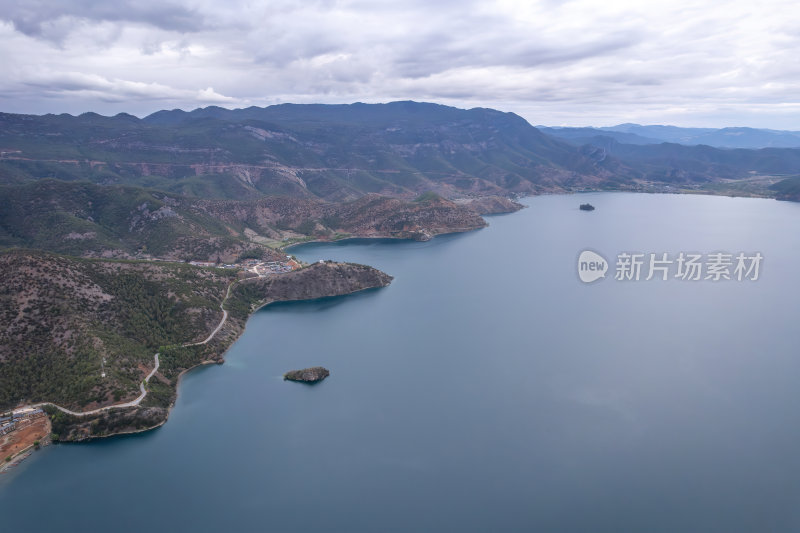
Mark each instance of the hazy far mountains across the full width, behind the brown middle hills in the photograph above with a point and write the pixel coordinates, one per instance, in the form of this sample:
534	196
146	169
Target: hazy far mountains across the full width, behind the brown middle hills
339	153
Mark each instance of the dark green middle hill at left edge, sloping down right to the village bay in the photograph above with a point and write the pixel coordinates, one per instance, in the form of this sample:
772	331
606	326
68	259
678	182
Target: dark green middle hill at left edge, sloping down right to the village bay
90	220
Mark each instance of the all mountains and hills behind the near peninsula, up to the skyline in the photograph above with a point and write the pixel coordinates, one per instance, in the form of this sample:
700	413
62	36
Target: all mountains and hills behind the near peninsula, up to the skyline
168	185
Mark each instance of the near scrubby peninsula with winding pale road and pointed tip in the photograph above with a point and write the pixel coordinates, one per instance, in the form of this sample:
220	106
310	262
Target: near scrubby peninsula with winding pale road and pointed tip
121	313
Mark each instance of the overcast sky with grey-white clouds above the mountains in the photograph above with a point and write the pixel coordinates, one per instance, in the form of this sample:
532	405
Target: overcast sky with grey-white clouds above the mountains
557	63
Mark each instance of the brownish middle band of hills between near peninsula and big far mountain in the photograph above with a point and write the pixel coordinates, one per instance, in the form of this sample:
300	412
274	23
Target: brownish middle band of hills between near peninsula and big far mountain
89	220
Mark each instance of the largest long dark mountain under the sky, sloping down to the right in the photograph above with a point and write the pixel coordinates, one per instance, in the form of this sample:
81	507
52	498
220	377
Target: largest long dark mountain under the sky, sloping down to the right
335	153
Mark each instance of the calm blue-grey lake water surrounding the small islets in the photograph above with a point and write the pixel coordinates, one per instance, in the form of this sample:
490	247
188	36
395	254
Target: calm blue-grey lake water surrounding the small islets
486	389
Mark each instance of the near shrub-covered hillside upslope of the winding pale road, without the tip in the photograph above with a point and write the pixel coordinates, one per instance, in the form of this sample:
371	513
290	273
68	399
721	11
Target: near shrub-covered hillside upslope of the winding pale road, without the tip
82	333
